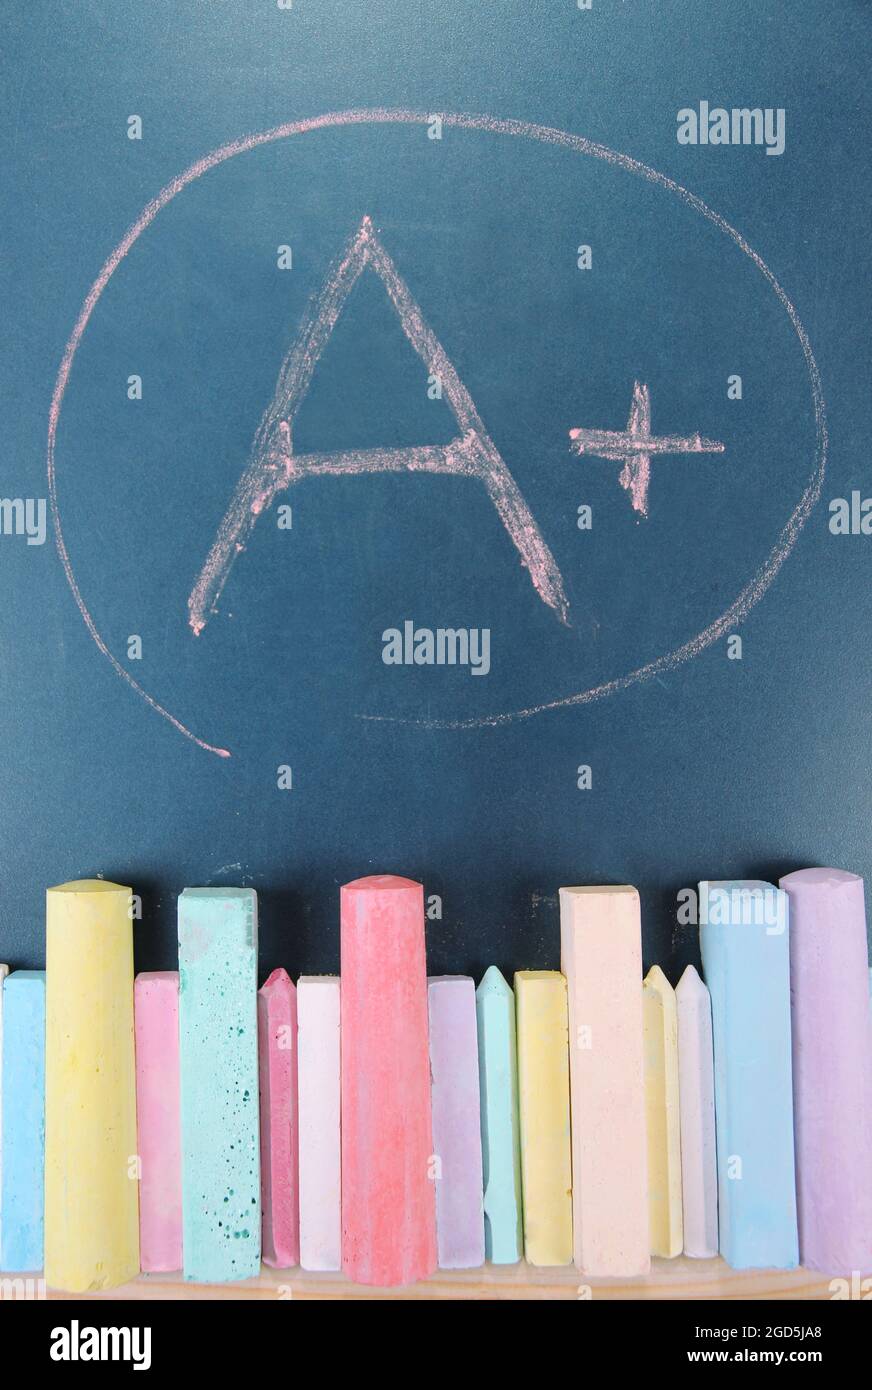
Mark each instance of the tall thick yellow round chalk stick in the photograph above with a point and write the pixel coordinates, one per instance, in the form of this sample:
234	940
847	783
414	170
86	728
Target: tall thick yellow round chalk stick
92	1220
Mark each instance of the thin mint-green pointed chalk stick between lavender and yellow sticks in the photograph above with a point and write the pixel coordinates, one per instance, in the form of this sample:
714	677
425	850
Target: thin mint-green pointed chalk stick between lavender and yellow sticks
504	1242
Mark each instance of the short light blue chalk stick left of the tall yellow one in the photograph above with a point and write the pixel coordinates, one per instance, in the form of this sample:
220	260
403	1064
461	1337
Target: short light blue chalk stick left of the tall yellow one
24	1120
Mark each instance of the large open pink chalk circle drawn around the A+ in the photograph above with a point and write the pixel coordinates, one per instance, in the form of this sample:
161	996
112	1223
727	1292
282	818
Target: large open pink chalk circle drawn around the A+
742	605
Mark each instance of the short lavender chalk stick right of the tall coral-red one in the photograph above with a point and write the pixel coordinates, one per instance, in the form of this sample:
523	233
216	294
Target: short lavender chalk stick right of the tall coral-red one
457	1125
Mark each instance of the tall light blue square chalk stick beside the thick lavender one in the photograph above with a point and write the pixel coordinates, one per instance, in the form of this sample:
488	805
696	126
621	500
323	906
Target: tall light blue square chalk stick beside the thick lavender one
746	958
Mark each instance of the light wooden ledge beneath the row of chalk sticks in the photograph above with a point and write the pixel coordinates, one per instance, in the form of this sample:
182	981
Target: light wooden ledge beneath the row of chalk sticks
670	1279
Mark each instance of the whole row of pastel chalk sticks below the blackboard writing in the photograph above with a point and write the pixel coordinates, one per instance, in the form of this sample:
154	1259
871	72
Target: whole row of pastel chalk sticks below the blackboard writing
390	1125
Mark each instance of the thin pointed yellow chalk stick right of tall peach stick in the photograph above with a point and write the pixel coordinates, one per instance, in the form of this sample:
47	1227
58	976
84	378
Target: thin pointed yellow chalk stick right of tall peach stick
661	1040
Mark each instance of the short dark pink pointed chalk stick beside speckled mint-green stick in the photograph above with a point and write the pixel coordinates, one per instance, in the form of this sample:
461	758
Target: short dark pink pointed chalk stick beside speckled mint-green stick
279	1121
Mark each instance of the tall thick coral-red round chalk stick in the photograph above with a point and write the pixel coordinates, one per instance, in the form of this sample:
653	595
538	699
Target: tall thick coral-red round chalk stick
389	1199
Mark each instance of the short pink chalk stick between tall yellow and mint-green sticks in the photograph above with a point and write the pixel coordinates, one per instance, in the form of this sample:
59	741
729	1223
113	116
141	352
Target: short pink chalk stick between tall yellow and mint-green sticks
159	1121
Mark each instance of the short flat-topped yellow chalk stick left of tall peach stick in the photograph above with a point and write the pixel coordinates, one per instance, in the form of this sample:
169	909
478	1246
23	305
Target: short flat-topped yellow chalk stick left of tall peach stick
543	1085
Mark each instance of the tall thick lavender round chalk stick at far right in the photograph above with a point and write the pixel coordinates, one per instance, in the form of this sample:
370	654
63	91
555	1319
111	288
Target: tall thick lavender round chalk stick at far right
832	1070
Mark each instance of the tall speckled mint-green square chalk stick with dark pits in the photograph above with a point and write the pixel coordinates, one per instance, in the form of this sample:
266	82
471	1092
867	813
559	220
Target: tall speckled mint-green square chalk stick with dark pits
218	961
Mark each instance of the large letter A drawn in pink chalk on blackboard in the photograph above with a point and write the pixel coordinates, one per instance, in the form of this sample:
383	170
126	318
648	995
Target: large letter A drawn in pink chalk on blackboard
273	466
